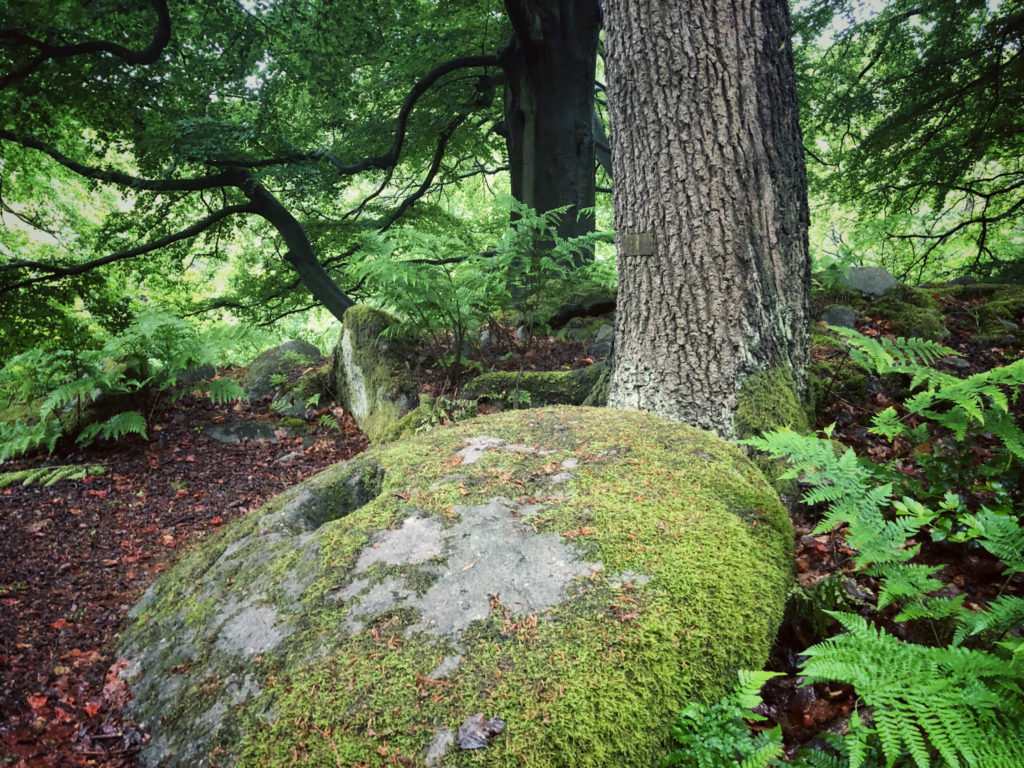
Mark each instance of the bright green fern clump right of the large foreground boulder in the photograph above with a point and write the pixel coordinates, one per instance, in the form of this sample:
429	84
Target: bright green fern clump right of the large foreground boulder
953	703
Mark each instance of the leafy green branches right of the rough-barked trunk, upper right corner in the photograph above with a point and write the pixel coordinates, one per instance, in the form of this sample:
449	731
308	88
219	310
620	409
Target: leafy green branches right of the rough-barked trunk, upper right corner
914	120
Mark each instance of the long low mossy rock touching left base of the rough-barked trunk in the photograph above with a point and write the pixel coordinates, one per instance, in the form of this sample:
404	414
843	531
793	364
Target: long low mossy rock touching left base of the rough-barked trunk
536	388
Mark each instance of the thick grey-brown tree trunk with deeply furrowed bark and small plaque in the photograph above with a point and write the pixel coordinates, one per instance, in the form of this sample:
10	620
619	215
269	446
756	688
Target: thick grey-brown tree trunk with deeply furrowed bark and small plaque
711	206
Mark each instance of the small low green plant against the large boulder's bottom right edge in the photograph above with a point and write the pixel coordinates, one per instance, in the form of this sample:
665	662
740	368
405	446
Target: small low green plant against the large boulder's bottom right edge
716	736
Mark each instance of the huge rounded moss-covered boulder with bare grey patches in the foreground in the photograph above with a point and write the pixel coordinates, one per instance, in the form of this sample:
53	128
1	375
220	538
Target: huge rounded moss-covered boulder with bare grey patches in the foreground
547	585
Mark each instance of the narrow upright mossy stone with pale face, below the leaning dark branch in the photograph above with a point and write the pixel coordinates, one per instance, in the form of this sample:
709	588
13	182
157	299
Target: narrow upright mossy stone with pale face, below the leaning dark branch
372	375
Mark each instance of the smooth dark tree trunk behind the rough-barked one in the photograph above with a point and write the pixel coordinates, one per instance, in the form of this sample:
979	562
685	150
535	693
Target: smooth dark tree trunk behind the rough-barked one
549	101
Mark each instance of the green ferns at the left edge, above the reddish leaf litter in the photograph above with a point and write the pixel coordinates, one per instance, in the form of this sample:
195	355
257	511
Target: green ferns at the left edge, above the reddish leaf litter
52	392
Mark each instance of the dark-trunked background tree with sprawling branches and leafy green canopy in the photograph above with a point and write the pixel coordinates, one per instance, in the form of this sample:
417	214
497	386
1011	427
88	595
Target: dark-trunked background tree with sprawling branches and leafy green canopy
323	125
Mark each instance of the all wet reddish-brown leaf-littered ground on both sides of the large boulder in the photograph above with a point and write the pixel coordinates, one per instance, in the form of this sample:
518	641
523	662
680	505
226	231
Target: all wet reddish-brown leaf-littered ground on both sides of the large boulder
75	557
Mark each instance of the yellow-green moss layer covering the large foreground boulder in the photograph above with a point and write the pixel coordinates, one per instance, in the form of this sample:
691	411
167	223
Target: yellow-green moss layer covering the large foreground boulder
593	681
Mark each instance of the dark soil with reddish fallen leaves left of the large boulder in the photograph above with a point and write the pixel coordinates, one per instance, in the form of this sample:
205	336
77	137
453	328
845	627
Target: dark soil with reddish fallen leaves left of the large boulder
74	558
